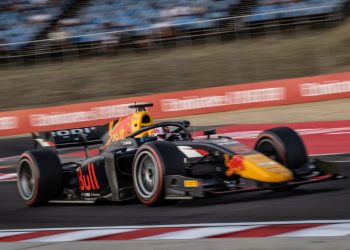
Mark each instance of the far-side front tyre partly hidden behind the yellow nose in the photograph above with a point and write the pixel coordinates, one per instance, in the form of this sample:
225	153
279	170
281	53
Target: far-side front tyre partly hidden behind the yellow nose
285	146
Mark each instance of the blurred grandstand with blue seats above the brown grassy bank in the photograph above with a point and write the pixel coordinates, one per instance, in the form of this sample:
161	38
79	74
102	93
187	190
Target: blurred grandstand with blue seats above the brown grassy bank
80	22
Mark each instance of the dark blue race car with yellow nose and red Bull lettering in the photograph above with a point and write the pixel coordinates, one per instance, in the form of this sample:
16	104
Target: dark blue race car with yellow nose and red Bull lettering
161	162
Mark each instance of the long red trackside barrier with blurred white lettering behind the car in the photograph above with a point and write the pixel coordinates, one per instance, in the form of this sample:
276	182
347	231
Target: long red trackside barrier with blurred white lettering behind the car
181	103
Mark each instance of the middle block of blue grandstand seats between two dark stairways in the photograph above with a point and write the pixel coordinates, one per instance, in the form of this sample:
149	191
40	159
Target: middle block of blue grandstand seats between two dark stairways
144	15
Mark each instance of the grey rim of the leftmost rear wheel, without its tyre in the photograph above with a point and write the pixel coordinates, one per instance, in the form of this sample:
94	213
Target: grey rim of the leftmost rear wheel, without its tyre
26	180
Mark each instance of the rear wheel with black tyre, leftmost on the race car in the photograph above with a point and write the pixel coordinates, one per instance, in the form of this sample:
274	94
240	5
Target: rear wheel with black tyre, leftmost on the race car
39	176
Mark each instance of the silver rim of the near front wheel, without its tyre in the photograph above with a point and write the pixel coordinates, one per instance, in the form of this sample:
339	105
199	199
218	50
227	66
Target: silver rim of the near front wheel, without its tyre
147	175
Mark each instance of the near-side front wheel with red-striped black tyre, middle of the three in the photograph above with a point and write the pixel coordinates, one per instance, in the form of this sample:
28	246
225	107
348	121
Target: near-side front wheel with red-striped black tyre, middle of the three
152	162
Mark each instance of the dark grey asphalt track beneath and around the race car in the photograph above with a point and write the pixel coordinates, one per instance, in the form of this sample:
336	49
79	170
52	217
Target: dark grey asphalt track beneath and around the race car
322	201
